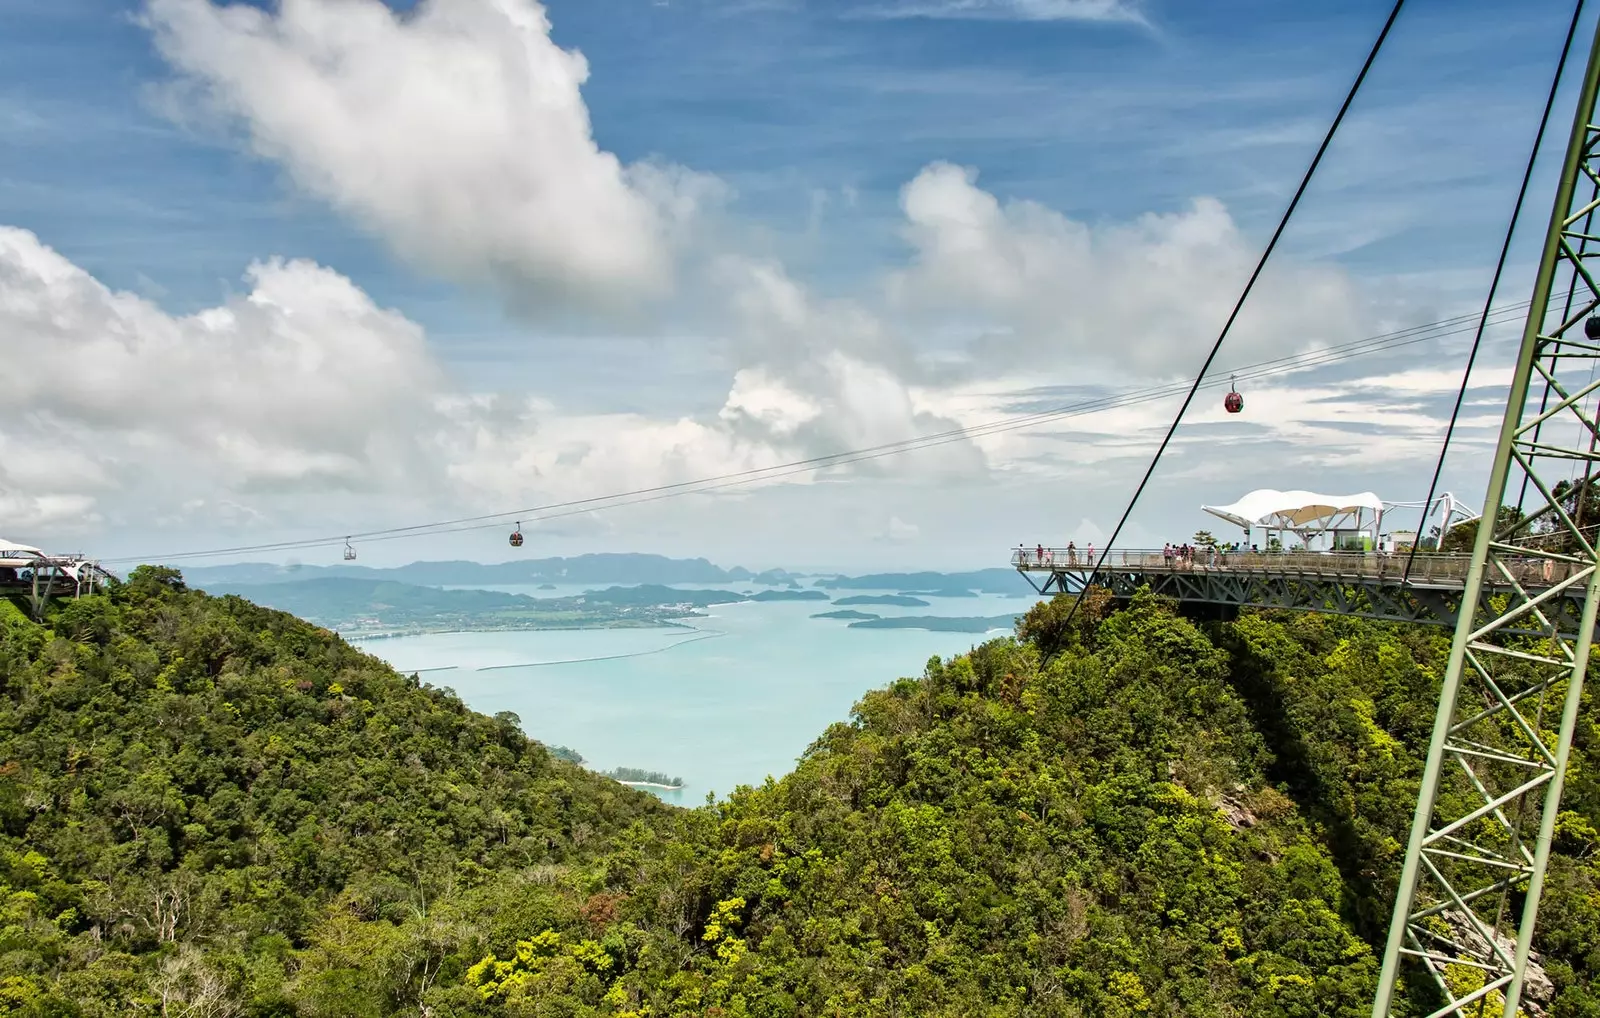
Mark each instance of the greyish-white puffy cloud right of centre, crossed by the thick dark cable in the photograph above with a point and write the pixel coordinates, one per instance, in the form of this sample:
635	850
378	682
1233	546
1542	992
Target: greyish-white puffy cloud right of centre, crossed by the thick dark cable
1130	295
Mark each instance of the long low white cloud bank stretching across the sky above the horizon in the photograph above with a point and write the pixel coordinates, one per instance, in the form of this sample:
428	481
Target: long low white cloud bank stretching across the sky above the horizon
300	407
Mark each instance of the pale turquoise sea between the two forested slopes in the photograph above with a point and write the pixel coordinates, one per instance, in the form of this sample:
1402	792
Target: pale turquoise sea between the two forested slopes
732	700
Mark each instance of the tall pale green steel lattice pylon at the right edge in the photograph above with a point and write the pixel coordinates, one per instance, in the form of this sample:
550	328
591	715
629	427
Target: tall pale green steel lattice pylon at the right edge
1481	840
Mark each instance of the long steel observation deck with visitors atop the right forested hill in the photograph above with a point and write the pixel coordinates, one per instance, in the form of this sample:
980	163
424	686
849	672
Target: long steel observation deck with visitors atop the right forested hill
1546	590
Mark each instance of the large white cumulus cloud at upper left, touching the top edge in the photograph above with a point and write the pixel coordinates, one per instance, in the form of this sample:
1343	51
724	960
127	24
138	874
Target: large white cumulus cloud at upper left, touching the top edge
457	132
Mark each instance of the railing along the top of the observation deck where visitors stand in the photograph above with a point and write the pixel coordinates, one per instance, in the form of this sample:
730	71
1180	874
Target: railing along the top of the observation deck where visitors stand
1426	569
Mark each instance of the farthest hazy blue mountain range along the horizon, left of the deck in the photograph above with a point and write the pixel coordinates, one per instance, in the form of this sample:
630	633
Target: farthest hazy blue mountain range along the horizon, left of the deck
599	569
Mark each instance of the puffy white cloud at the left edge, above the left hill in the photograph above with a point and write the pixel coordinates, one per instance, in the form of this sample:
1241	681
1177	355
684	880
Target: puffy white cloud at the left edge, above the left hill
300	383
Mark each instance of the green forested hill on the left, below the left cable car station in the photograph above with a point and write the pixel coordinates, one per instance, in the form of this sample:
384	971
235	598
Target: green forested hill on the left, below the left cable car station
215	809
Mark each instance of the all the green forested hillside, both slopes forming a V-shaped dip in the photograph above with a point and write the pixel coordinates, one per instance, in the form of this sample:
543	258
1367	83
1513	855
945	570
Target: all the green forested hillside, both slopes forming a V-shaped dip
212	809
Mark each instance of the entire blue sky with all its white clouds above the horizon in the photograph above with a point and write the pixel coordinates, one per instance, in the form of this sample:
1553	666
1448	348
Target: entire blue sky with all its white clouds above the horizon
297	270
